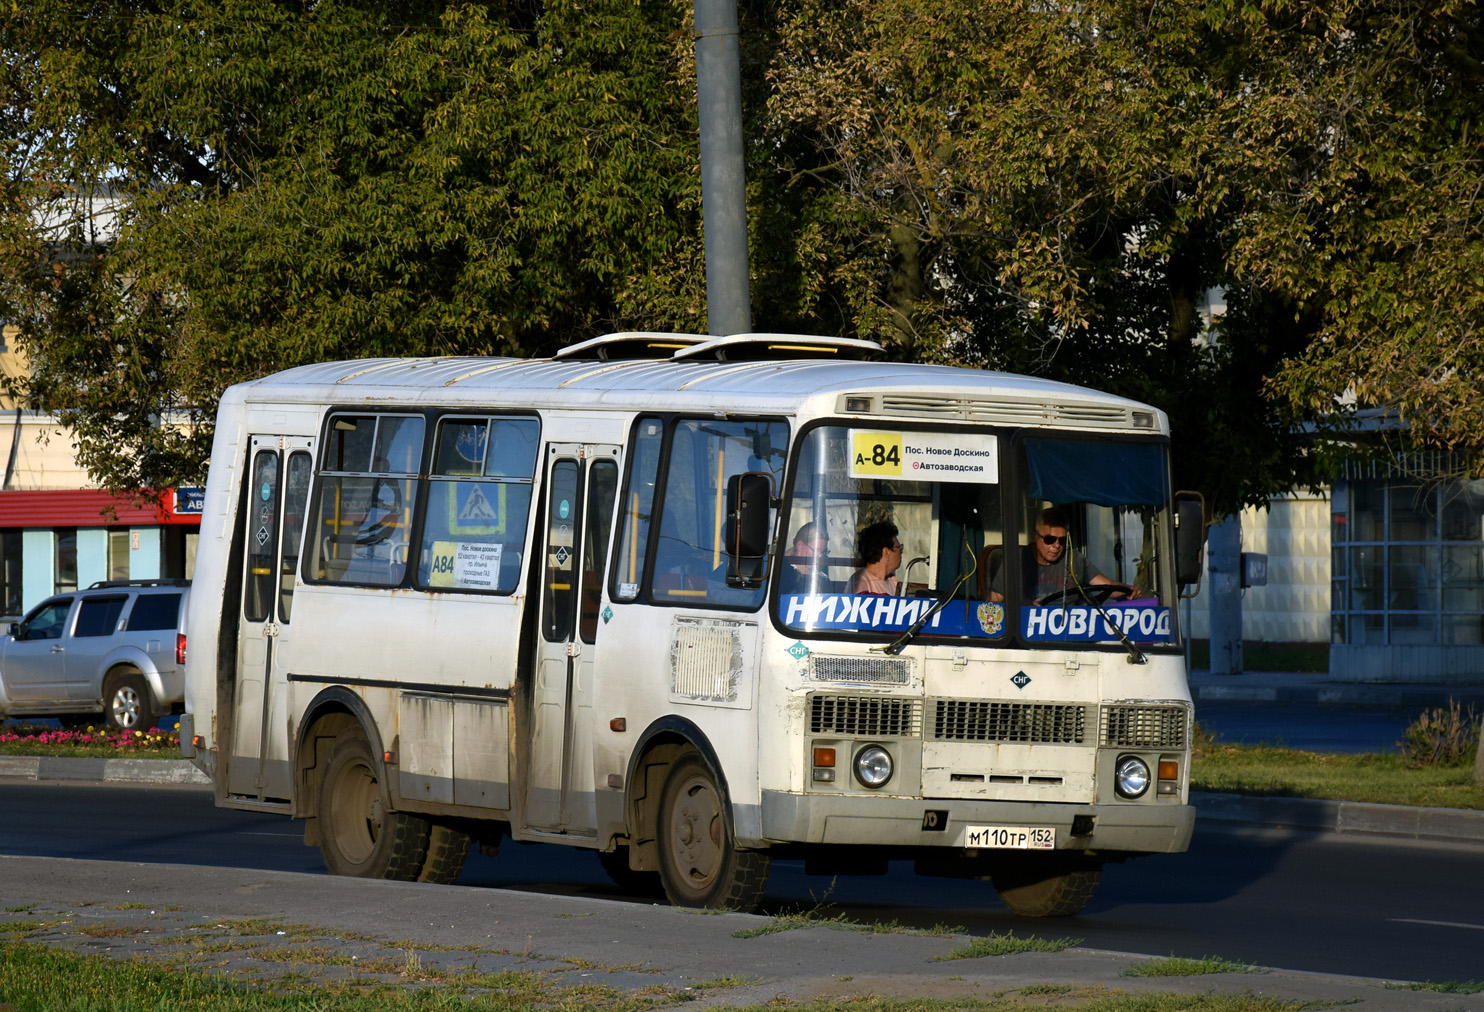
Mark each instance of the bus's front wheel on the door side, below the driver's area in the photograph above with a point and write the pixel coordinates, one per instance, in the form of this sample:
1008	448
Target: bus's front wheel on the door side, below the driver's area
700	864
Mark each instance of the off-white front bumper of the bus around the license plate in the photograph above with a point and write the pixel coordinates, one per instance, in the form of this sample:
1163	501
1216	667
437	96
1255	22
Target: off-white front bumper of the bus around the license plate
909	823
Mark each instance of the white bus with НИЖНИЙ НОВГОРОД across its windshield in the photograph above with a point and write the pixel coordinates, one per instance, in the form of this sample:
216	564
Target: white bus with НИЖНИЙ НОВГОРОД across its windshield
606	600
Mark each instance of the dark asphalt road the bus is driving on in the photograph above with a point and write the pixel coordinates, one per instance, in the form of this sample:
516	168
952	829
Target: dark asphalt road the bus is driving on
1316	903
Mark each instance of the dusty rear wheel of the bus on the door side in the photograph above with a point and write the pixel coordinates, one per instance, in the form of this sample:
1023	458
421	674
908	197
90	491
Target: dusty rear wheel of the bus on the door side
360	835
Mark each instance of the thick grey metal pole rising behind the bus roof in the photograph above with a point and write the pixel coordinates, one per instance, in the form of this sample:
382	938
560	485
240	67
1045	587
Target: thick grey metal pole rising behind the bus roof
723	180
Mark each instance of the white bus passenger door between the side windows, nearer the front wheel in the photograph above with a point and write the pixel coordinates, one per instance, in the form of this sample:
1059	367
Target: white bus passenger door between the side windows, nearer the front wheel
582	483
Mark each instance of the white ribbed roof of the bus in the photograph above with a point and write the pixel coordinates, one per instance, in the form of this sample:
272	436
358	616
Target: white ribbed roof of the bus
810	387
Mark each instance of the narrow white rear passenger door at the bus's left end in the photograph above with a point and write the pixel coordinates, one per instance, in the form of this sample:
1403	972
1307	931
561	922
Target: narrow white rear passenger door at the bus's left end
278	493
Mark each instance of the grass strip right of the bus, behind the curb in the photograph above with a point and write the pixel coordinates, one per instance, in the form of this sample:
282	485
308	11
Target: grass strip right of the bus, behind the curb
1376	778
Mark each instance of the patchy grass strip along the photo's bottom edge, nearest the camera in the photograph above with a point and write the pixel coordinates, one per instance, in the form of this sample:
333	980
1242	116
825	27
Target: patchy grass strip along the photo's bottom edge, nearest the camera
32	980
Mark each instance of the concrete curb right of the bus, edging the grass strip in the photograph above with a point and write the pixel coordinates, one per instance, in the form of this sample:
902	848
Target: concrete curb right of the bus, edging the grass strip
1402	821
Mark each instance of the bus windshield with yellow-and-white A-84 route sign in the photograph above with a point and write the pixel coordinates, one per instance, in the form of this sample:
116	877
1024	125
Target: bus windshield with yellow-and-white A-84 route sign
1072	547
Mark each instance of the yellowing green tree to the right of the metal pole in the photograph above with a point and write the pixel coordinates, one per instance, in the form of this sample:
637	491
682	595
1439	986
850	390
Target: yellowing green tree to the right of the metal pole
1057	189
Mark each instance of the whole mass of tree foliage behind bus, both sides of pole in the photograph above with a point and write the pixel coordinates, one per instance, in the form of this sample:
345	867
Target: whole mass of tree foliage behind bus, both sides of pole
1048	191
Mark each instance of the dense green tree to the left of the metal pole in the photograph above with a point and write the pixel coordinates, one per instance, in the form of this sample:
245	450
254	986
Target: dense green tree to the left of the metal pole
339	180
